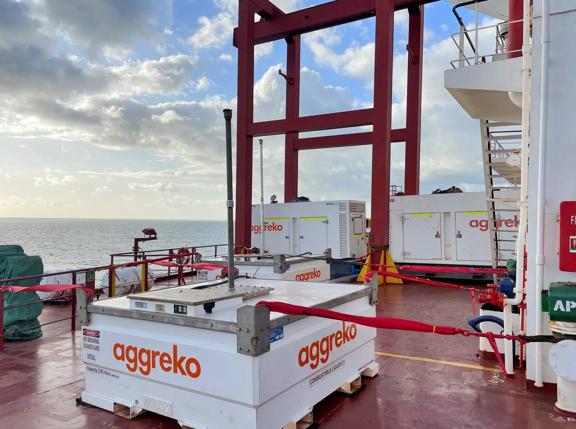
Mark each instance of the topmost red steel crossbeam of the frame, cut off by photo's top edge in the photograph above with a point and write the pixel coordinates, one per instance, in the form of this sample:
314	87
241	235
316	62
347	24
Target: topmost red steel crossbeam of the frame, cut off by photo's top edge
324	15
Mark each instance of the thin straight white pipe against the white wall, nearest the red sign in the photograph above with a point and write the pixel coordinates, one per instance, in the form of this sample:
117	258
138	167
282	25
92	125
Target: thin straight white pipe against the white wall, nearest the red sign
541	201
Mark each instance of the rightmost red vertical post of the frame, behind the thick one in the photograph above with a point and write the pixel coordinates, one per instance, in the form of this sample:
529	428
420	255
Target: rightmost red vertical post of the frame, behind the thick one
414	100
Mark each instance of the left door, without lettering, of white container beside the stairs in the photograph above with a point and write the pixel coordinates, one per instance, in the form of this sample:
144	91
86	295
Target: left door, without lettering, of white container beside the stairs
422	236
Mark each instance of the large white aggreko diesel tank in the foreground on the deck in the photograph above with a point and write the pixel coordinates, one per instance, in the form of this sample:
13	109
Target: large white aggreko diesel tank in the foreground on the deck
209	358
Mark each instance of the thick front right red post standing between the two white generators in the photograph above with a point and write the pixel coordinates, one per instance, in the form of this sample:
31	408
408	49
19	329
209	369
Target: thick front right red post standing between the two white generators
381	141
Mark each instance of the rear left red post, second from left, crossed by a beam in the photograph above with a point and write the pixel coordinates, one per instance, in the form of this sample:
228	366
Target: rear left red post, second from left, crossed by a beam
292	112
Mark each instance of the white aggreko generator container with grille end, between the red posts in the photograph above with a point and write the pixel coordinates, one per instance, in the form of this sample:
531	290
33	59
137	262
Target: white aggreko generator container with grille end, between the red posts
314	227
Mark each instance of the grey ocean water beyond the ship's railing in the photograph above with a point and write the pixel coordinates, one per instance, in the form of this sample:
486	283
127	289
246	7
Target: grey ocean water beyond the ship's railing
79	243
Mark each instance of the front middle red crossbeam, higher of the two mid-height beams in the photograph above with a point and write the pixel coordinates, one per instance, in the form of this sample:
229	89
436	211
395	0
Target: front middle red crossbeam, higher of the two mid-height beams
328	121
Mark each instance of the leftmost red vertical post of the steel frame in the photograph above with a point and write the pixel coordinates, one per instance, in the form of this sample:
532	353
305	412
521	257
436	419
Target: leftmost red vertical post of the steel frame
245	118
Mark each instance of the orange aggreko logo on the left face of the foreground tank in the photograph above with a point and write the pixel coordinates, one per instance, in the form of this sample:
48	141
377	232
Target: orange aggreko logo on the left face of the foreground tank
145	360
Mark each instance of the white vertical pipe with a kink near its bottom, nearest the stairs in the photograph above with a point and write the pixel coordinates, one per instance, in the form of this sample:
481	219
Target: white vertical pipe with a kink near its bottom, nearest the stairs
519	287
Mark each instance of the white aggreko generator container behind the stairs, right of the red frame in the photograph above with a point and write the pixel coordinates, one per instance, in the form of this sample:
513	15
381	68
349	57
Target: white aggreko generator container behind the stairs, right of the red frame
449	229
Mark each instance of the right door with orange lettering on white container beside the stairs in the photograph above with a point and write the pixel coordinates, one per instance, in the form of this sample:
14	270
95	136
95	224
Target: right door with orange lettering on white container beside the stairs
472	237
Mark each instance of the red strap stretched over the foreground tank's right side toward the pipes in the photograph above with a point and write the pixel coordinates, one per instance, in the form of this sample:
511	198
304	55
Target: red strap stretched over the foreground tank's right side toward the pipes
391	323
